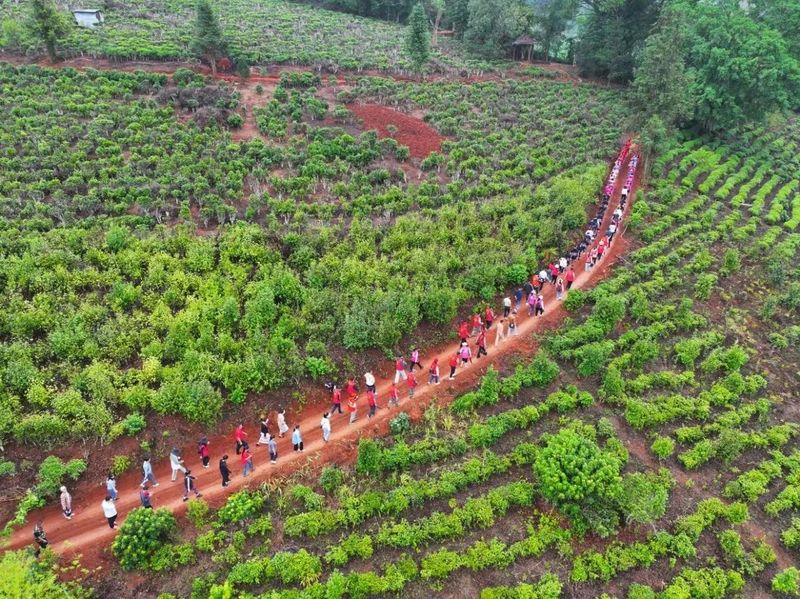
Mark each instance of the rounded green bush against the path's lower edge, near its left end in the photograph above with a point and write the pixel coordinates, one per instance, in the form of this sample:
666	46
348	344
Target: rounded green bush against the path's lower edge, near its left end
142	533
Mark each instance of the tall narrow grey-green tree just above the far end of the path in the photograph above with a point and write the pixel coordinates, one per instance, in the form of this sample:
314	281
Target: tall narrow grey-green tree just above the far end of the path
662	82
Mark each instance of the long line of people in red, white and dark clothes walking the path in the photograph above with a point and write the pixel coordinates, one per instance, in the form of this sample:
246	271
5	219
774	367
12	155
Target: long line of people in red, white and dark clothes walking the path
561	274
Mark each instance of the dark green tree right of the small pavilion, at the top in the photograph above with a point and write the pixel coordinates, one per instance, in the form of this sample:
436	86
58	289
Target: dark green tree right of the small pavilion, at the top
612	34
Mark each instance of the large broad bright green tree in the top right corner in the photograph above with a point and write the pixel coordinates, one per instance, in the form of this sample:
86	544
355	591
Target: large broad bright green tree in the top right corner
742	68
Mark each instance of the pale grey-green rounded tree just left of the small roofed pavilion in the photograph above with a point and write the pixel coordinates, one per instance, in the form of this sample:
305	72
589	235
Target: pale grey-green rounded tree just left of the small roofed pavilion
494	24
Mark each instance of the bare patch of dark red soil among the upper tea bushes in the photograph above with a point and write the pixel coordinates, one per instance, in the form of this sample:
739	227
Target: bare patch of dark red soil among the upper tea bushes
419	136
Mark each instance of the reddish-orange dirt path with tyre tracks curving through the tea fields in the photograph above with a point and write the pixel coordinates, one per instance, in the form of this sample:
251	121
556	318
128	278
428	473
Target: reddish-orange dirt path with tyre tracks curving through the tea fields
89	535
